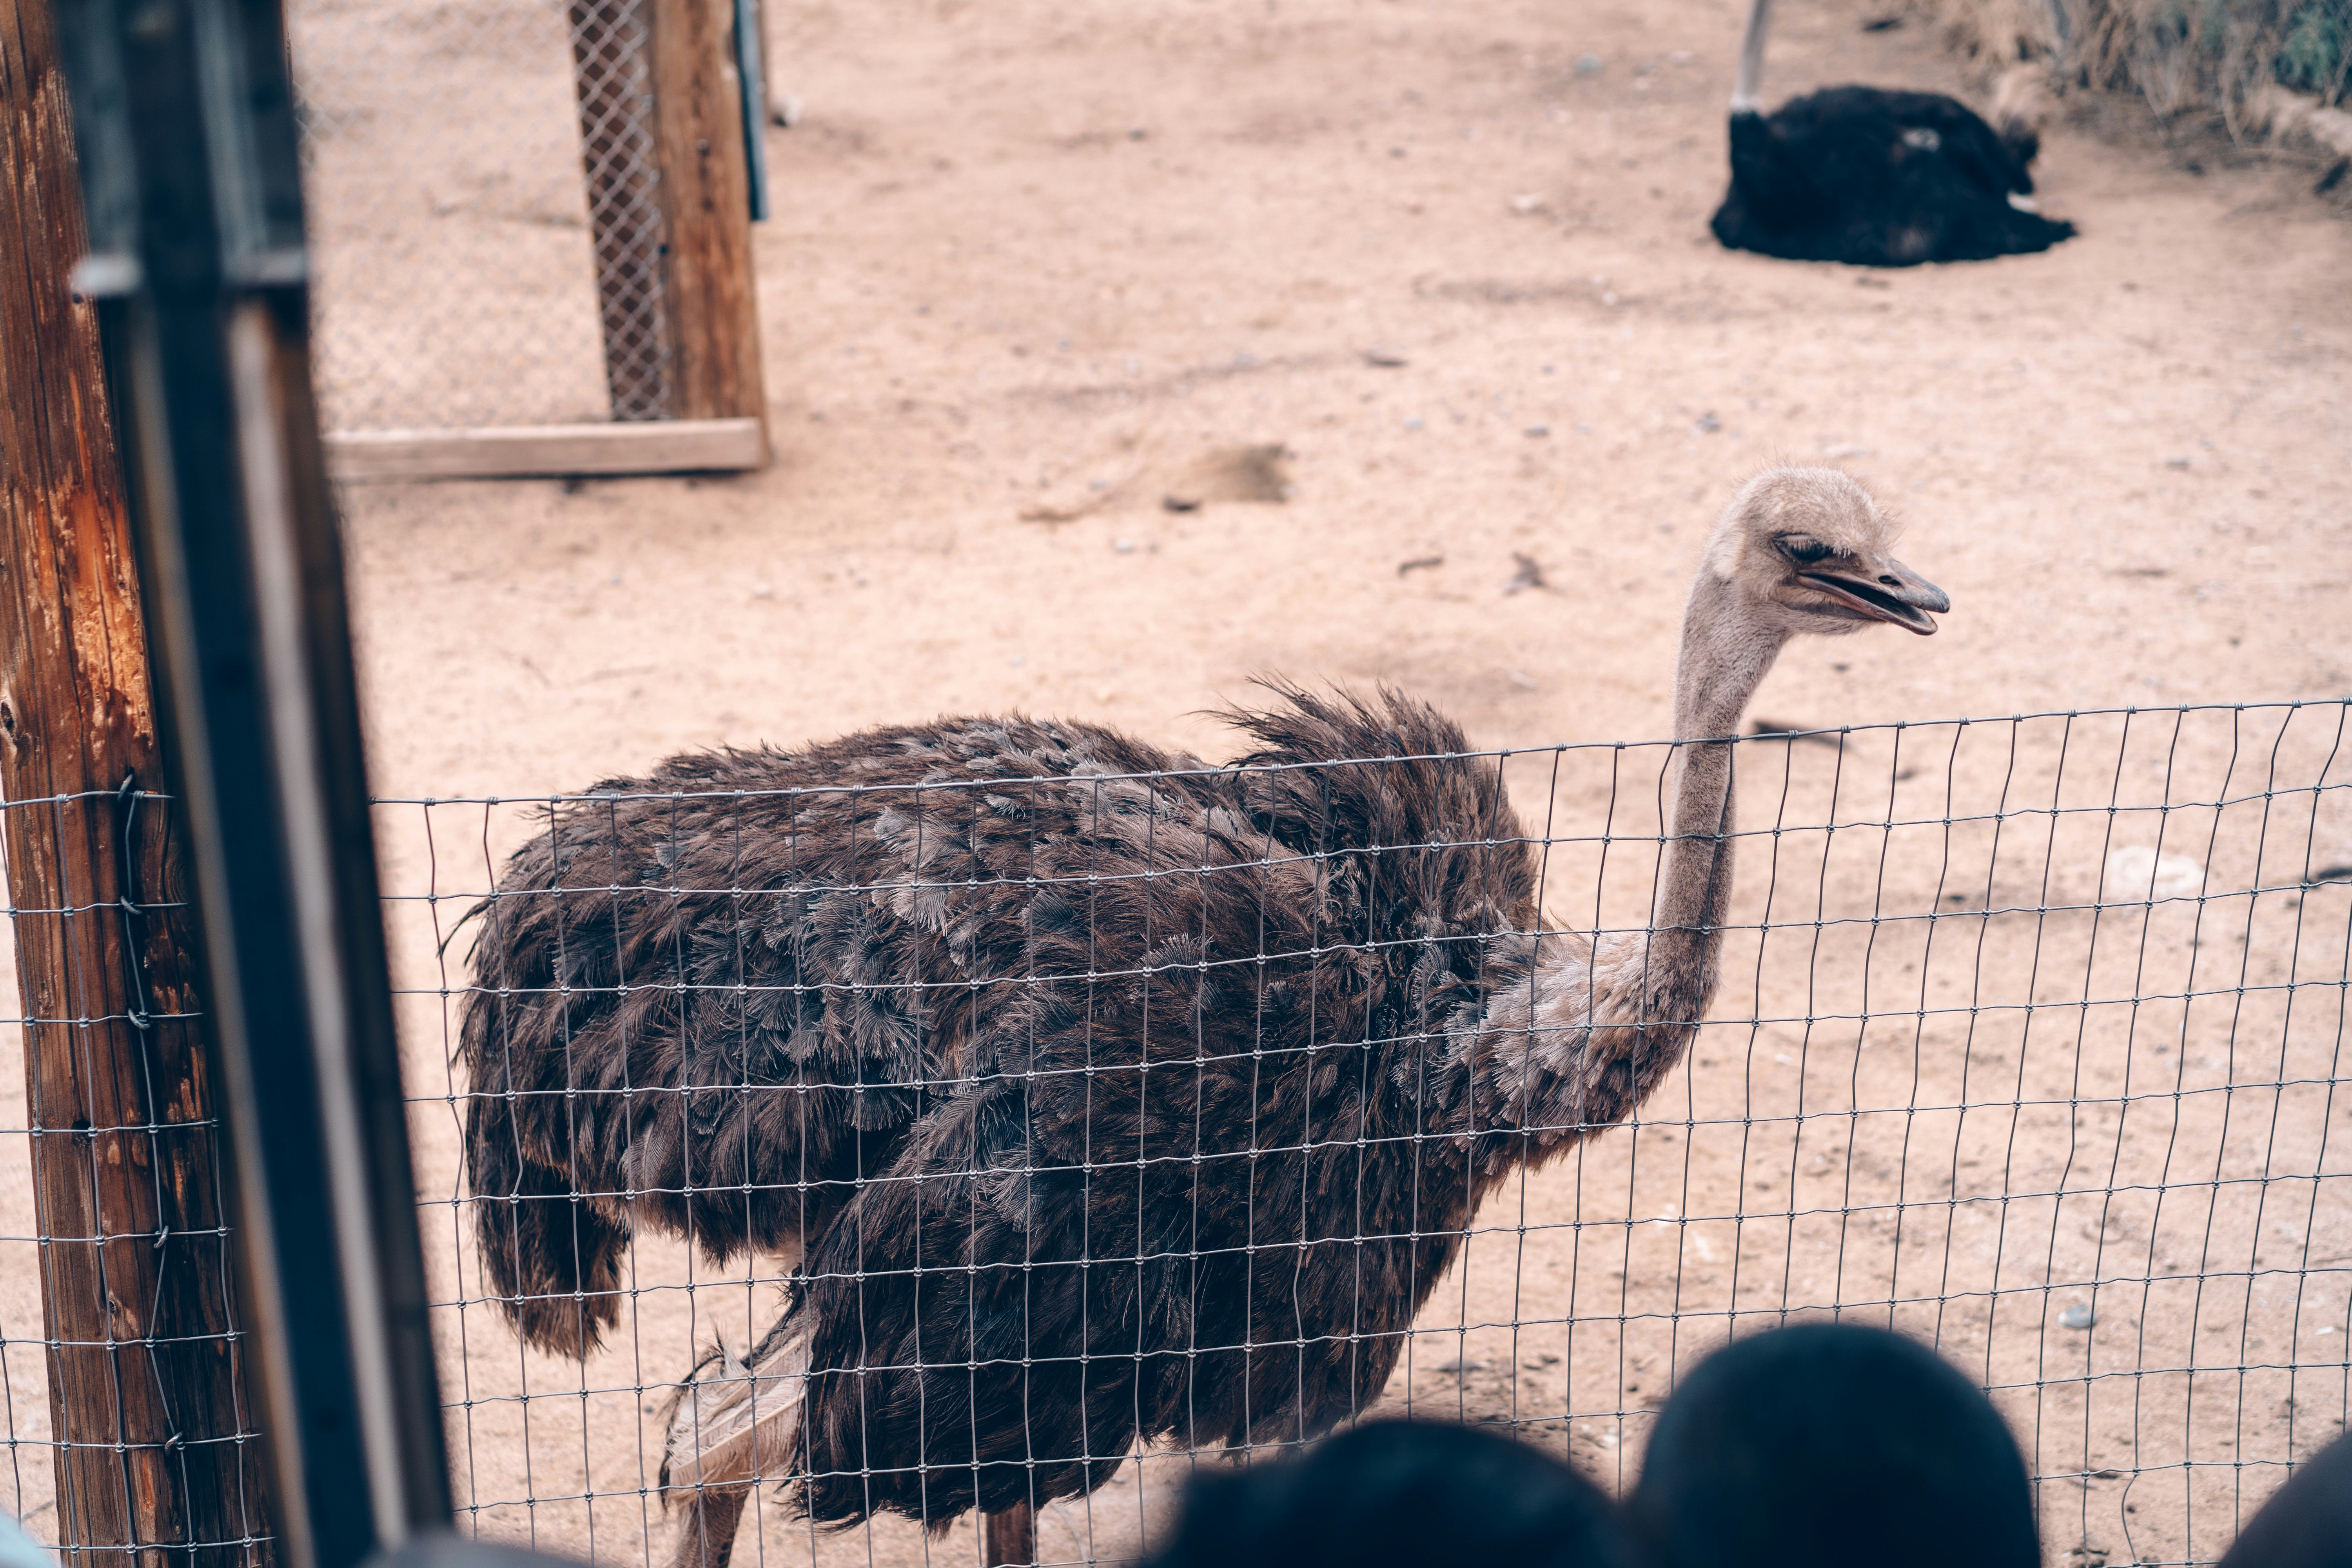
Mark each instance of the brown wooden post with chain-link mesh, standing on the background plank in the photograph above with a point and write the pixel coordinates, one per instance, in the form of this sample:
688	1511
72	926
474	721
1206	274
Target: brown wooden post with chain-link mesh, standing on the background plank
669	201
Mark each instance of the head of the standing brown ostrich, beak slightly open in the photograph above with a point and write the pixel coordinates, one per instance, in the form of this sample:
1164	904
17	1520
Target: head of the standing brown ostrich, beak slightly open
1810	551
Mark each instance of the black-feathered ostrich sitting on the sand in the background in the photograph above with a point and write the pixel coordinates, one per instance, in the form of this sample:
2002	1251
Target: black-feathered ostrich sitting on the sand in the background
1876	177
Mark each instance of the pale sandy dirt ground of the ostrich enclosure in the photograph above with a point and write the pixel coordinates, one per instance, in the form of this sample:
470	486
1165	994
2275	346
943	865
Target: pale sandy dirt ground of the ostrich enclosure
1038	269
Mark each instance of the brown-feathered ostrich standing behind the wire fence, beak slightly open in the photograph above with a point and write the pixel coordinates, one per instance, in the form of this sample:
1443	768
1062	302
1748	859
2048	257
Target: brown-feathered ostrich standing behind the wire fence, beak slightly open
1090	1094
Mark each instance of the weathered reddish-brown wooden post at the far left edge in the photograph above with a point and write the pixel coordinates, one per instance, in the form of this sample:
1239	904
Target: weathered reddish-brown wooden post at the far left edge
154	1440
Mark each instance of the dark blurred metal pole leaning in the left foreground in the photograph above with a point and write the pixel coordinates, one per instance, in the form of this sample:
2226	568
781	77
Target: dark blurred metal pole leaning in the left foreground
192	182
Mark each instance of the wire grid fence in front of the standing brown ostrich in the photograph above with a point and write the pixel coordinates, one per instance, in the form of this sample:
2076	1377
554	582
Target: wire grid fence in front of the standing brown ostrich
2029	1043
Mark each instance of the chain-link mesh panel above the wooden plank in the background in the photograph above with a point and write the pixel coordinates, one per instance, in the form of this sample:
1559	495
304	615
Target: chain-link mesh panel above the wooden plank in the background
486	213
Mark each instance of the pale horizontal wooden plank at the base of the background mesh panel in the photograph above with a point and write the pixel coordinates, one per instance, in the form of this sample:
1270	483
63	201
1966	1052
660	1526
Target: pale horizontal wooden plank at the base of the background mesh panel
674	445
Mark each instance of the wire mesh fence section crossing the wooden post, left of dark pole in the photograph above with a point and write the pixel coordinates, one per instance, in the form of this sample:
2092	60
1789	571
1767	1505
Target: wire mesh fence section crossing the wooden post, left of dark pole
121	1351
